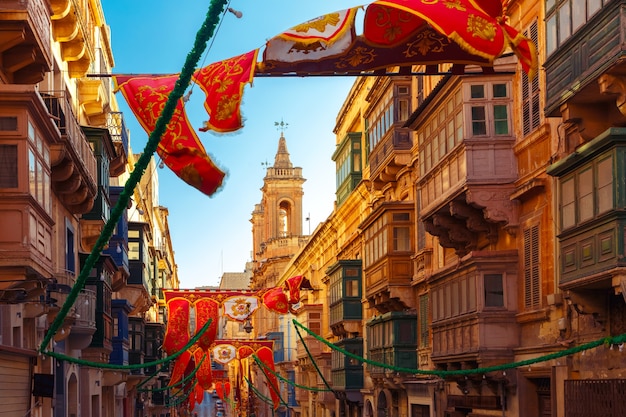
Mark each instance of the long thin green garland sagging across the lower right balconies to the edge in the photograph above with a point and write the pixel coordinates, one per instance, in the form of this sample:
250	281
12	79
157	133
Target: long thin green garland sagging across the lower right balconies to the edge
606	341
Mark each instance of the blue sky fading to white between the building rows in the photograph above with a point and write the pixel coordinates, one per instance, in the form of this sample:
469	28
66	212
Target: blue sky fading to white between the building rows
214	235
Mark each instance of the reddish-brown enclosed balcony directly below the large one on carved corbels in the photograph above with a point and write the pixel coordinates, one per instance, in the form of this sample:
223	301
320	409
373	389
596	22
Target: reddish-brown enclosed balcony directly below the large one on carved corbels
473	311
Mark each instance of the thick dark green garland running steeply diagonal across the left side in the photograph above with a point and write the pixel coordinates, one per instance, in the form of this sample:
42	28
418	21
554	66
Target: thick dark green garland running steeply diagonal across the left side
202	37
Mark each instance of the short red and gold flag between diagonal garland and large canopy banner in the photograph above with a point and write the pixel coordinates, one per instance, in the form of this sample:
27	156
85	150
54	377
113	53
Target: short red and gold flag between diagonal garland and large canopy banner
223	84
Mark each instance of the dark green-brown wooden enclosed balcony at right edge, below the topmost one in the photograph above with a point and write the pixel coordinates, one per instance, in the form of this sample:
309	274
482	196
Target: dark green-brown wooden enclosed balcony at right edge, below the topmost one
592	221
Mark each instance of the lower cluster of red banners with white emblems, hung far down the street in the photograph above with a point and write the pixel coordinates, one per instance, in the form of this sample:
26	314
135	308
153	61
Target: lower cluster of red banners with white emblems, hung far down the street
207	305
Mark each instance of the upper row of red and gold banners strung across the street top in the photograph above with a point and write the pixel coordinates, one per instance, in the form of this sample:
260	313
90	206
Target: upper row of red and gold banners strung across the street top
396	33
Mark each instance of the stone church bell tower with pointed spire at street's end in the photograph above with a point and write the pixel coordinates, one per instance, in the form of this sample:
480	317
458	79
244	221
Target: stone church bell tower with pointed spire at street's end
277	220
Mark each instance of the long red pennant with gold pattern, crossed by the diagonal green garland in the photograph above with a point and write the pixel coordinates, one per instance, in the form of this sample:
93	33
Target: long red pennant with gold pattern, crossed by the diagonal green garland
179	147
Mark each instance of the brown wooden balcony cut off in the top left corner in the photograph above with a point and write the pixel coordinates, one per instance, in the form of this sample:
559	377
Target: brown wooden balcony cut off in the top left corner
25	45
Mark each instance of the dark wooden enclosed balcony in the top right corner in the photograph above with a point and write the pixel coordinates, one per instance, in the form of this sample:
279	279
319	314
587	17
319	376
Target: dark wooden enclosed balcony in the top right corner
585	73
